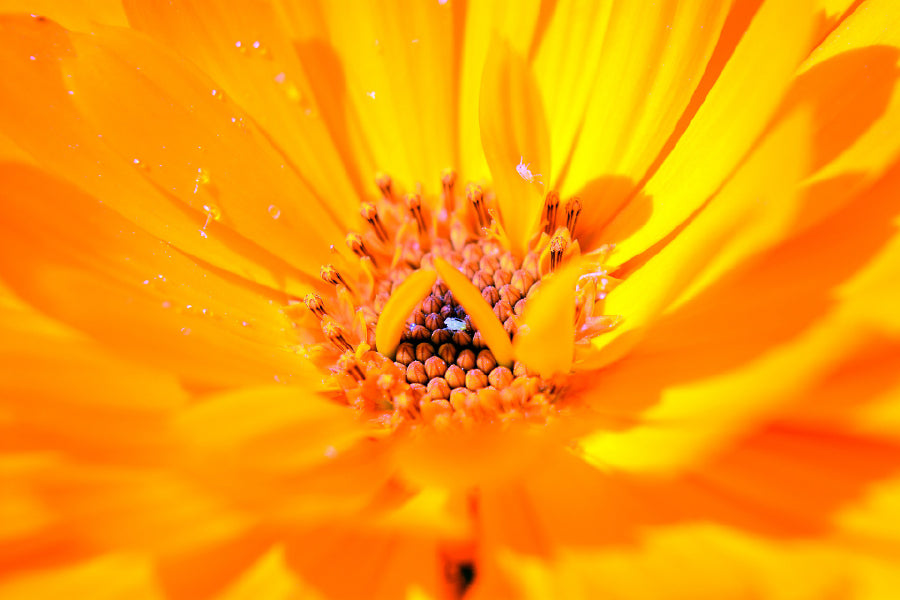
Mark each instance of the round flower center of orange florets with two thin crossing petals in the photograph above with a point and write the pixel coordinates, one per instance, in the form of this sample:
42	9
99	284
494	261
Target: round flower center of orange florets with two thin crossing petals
438	367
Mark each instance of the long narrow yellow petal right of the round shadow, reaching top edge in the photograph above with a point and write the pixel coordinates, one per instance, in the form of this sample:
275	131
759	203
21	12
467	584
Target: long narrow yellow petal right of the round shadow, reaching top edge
725	127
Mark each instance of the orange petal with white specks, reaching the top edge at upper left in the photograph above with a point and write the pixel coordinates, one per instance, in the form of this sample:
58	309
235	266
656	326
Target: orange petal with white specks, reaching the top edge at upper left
251	54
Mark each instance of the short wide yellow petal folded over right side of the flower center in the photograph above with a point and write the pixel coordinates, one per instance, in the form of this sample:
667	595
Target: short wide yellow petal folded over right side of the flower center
545	341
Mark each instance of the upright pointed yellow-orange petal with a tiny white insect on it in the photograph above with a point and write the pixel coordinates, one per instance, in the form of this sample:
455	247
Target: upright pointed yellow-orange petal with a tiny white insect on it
516	142
